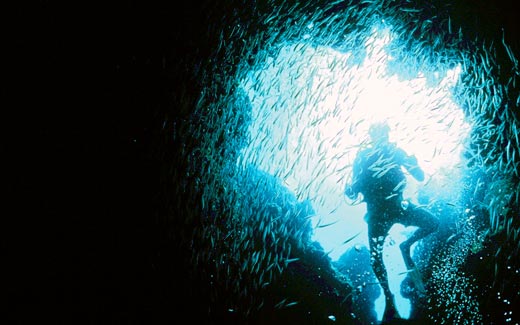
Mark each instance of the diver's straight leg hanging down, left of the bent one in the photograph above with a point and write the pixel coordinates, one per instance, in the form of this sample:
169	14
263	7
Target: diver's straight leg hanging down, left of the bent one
377	234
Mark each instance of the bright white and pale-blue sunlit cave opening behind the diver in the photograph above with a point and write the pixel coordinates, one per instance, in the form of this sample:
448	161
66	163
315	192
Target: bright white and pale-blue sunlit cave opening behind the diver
311	110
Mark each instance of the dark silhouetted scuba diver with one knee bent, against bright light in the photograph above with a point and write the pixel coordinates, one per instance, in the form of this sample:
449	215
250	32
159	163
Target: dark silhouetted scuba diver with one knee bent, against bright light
379	177
